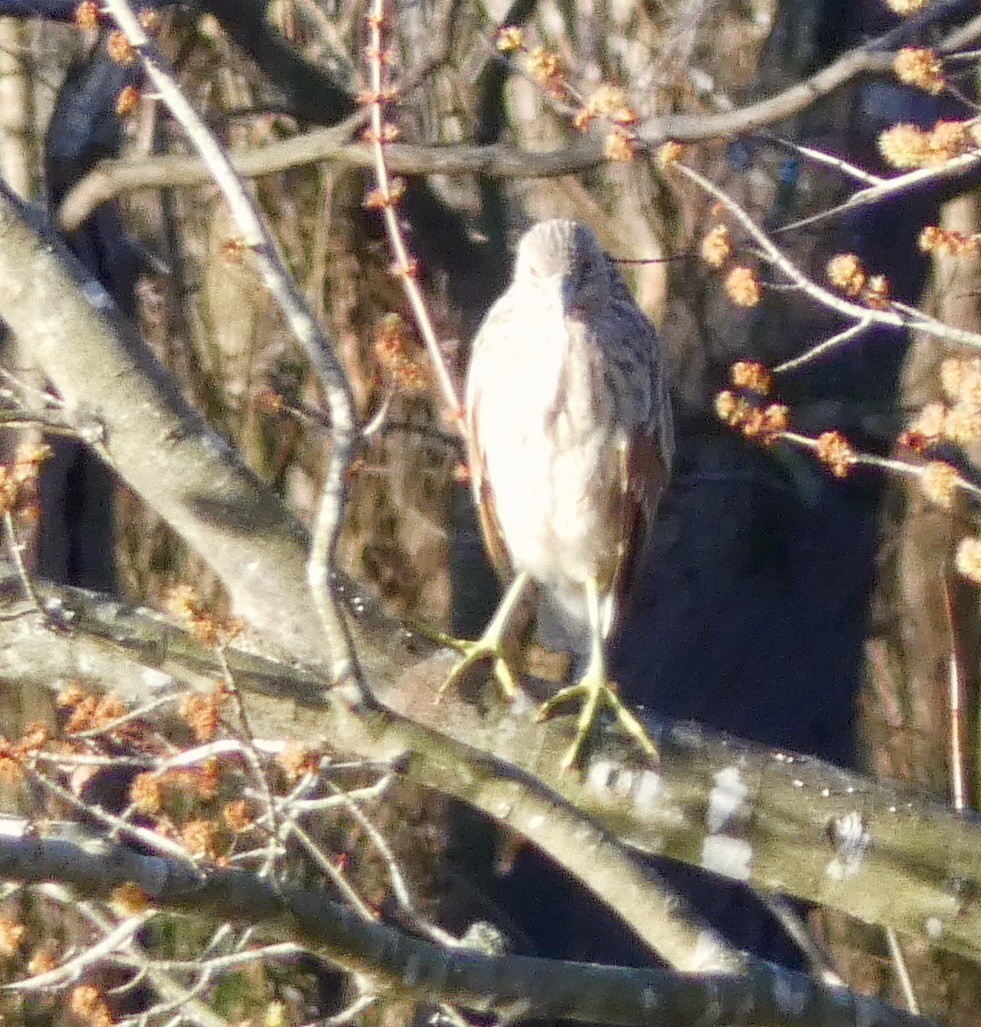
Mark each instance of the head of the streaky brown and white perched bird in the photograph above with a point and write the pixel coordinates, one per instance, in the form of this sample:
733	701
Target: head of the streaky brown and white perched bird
565	259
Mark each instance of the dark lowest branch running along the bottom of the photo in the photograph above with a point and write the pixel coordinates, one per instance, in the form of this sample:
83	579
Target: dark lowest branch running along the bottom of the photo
509	986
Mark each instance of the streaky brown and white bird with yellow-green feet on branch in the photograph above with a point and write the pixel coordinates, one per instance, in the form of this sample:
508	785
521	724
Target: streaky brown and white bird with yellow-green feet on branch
570	440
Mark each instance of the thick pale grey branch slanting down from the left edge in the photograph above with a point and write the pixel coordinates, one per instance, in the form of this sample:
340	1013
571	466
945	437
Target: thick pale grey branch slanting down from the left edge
154	440
